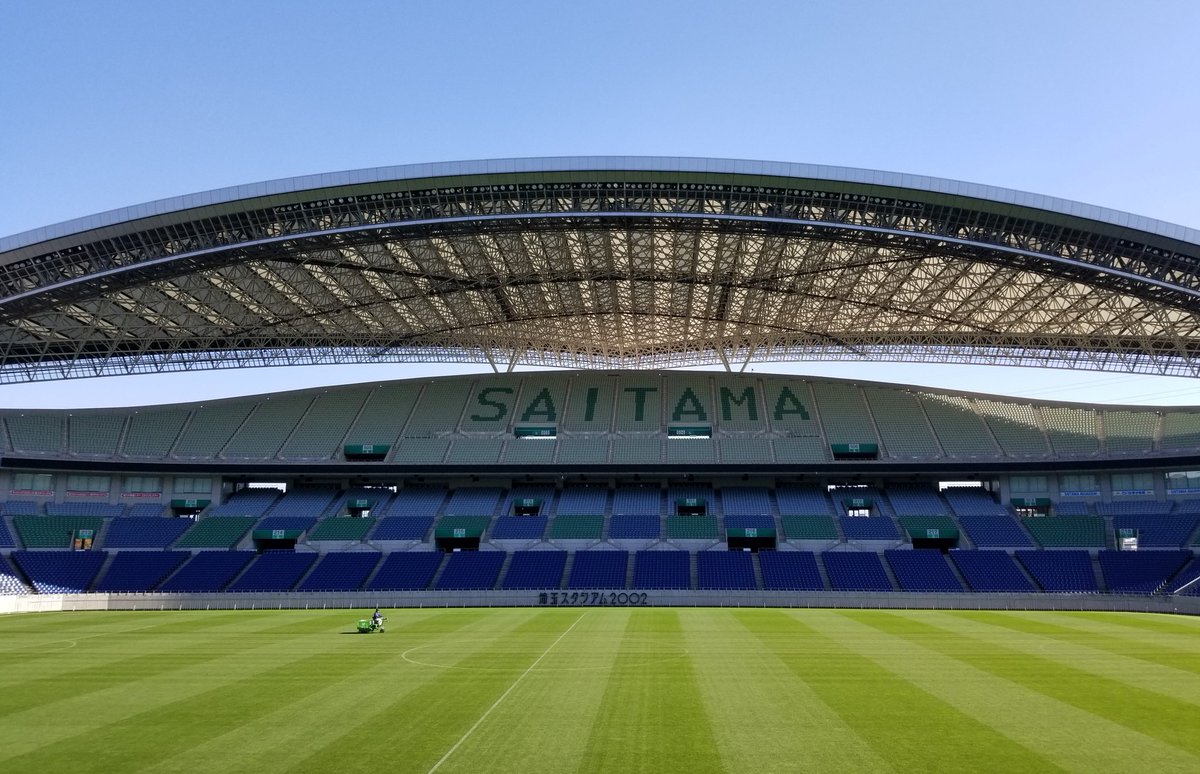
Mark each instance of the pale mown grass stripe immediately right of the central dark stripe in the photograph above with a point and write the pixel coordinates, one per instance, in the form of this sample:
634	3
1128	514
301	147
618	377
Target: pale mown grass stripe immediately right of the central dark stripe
766	718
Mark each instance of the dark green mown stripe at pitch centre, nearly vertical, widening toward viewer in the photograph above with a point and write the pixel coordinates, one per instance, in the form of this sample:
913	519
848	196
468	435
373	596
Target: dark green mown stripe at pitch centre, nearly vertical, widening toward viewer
652	717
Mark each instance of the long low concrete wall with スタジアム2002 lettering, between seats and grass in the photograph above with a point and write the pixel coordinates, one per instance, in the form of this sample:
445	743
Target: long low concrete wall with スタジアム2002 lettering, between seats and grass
369	601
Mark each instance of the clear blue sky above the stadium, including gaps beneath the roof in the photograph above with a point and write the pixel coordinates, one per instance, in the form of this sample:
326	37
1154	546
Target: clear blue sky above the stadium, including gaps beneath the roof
113	104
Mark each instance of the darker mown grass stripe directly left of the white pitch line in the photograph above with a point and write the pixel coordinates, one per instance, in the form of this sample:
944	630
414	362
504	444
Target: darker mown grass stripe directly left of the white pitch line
476	669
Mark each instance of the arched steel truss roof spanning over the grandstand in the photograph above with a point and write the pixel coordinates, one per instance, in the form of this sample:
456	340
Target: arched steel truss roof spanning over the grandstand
601	263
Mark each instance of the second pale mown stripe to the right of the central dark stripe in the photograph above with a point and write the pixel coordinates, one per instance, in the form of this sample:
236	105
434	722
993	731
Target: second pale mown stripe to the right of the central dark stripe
1075	739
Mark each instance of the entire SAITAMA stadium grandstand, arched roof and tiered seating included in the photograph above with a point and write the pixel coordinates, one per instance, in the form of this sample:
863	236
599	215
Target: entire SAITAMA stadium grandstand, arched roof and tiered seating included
619	476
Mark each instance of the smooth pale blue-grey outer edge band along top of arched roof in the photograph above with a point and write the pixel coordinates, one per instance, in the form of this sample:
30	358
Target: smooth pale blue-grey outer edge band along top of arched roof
603	164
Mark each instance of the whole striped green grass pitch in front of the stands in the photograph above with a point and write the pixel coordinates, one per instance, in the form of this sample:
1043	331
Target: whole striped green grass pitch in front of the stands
601	691
